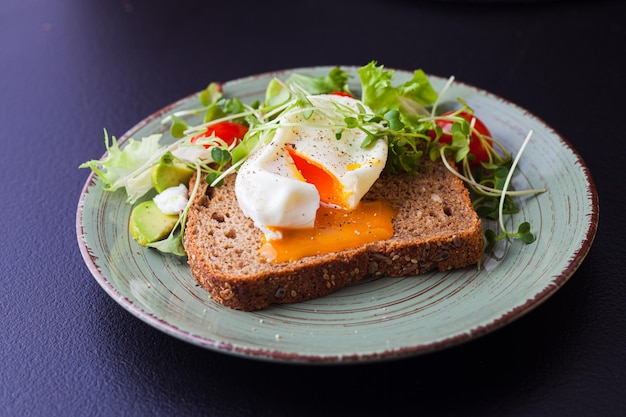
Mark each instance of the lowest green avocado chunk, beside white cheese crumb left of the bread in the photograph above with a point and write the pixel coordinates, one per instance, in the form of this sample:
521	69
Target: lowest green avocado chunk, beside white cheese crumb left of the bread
148	224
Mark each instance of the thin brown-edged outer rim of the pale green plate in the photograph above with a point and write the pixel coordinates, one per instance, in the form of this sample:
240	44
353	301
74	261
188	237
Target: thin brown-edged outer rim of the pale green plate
274	355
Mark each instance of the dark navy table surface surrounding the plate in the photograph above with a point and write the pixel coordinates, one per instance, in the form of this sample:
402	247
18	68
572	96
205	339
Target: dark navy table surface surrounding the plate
68	68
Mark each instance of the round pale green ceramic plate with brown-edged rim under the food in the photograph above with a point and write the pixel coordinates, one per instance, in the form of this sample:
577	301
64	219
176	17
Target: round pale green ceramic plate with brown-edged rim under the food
376	319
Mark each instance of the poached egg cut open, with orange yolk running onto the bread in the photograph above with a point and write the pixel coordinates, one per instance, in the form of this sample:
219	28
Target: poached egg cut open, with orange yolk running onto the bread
304	188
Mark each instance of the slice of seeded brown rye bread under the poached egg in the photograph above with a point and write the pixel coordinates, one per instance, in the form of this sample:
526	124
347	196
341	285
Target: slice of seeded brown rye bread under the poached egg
435	227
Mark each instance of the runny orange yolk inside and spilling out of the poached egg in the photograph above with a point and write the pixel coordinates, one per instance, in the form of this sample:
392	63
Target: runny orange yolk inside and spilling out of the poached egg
335	228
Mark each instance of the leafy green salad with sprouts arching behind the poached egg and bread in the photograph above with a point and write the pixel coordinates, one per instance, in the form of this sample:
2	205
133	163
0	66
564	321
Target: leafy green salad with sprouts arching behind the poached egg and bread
405	115
